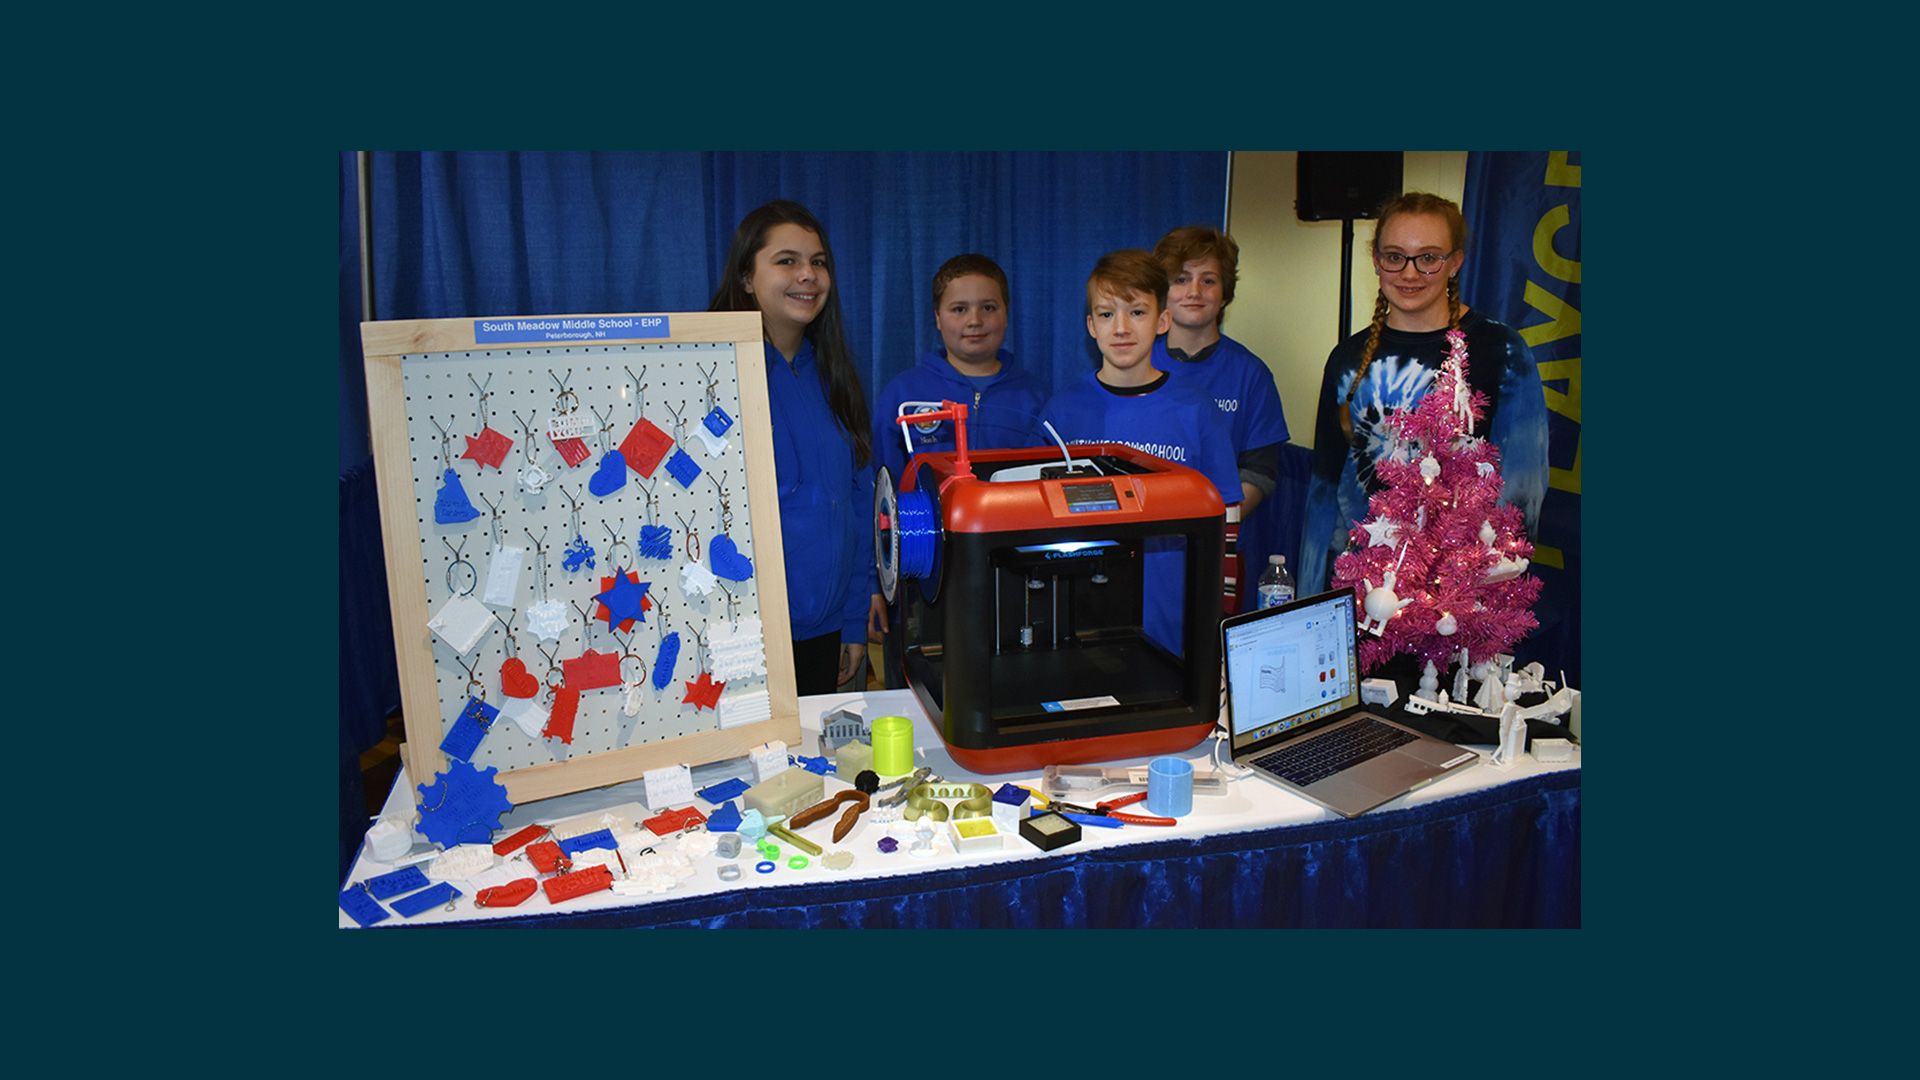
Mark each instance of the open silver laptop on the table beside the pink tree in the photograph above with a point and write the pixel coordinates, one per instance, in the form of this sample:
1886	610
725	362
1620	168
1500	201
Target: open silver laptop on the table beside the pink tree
1295	714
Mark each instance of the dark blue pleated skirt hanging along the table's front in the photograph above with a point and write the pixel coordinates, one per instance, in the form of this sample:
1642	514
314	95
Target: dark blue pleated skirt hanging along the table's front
1499	858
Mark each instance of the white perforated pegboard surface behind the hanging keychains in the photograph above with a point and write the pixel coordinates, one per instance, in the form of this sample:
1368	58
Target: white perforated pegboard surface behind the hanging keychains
619	385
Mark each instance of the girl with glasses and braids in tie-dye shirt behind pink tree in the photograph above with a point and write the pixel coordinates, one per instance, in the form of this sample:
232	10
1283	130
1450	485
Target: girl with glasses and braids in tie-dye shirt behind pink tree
1420	247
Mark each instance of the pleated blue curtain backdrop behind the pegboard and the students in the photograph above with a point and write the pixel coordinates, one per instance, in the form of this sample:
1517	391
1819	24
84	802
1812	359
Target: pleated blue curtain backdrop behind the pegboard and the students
462	235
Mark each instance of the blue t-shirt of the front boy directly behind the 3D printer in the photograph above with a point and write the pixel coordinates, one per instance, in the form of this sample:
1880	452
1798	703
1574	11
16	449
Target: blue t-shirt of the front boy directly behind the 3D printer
1170	422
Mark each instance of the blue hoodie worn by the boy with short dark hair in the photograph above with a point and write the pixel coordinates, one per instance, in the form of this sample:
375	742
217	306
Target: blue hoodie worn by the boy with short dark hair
1005	414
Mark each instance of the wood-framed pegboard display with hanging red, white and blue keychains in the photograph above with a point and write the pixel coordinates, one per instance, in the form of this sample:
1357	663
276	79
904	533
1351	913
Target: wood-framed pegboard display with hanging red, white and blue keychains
673	458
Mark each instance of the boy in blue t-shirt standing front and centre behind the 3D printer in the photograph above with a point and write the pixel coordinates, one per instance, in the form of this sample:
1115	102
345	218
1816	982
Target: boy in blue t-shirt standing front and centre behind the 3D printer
1130	401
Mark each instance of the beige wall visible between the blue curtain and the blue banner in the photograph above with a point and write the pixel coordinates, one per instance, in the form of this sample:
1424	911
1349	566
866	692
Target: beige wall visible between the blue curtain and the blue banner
1287	303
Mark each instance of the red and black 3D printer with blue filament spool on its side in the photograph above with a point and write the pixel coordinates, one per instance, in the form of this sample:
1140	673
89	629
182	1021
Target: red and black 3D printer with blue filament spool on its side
1020	581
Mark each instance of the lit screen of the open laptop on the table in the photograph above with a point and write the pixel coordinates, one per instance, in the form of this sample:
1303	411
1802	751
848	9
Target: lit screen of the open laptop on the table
1291	666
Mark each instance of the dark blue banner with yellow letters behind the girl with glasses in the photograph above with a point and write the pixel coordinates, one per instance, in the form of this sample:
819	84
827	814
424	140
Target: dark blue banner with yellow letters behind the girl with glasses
1524	268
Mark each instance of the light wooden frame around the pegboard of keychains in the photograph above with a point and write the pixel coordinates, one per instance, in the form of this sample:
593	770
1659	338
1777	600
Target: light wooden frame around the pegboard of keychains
387	345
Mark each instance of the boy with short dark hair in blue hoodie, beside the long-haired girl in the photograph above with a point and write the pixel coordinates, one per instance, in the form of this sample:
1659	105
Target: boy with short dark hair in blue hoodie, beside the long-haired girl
971	368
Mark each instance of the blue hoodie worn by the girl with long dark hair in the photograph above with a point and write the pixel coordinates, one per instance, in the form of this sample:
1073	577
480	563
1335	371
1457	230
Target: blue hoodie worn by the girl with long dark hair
827	504
